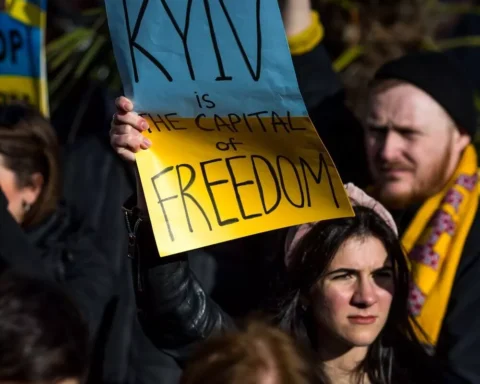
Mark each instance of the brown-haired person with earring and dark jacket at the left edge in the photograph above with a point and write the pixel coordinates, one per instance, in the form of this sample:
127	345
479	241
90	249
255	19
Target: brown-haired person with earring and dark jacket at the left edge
31	181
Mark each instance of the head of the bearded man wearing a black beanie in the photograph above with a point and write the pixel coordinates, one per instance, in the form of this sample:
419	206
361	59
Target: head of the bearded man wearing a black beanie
421	117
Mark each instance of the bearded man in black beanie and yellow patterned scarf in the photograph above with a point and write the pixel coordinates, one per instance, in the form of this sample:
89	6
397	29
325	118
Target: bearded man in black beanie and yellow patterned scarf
418	135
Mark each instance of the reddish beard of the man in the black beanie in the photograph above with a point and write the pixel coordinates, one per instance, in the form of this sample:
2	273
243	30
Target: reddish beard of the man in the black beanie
419	190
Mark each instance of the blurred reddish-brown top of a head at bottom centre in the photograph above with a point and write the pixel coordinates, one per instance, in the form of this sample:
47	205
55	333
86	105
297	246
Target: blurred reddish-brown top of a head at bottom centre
259	354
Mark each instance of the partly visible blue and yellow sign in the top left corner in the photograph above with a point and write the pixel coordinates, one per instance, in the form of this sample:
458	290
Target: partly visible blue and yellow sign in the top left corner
22	53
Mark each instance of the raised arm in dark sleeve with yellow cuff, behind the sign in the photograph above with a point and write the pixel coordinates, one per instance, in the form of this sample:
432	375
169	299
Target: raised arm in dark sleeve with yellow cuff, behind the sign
323	92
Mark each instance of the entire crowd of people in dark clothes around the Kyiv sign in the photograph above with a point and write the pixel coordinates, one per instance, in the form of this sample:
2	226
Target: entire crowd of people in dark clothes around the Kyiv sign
387	296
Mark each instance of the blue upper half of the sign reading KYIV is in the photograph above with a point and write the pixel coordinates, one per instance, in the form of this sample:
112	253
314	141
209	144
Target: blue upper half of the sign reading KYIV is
183	56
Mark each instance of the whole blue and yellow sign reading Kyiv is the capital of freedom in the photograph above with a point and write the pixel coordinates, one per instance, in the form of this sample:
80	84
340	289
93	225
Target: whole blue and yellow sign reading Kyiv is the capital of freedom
234	152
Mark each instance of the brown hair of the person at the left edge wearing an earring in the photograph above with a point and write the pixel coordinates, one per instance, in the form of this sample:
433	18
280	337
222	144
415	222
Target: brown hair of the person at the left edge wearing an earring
29	145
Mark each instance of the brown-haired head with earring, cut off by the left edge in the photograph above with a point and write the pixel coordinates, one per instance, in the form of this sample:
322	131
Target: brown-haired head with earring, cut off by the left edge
29	164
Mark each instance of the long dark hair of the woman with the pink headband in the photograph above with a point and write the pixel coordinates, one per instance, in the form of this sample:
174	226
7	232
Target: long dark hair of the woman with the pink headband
397	346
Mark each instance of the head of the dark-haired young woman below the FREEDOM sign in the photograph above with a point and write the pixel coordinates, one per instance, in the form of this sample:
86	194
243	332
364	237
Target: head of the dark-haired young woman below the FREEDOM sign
346	286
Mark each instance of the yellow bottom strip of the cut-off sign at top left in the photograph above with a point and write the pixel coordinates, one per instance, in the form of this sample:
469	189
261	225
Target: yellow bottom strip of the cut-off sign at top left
30	90
